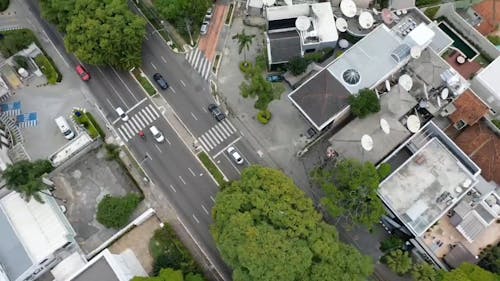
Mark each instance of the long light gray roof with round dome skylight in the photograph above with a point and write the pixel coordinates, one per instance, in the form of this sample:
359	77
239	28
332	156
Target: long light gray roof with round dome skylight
371	58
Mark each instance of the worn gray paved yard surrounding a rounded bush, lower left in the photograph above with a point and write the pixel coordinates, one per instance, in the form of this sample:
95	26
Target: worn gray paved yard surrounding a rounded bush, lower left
83	184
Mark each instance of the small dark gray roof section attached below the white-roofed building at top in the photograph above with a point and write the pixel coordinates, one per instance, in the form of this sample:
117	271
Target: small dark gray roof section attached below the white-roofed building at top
284	46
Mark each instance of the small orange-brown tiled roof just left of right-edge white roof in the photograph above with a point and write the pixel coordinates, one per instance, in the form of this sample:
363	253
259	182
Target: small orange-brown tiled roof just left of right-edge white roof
469	108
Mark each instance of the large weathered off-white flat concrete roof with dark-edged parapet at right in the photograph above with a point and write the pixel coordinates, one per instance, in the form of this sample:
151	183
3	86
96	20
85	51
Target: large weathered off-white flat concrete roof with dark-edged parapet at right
434	176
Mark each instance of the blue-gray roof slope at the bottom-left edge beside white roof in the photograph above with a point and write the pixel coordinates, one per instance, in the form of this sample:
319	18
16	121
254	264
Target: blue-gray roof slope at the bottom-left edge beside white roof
13	257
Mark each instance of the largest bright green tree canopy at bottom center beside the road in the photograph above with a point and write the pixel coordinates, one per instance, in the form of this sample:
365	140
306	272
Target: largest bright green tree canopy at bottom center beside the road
267	229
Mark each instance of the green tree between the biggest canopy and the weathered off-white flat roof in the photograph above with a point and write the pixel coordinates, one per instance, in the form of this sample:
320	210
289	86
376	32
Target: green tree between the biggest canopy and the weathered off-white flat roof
351	191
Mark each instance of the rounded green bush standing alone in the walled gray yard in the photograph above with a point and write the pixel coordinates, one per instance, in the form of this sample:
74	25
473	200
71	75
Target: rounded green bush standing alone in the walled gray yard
115	212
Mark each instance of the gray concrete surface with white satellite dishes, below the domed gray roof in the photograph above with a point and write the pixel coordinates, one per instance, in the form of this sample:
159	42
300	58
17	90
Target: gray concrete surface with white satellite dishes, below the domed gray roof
393	106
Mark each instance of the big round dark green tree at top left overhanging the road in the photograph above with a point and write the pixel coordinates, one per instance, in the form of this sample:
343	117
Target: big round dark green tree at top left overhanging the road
106	33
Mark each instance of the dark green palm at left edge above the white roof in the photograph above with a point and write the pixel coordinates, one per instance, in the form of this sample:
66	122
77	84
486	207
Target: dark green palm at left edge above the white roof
25	177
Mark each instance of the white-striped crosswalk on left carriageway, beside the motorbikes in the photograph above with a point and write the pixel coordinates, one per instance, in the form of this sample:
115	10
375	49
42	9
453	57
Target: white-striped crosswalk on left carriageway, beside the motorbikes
138	122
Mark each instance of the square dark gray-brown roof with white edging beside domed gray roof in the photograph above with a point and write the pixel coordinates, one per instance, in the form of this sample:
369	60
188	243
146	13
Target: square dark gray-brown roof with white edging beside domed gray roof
320	98
